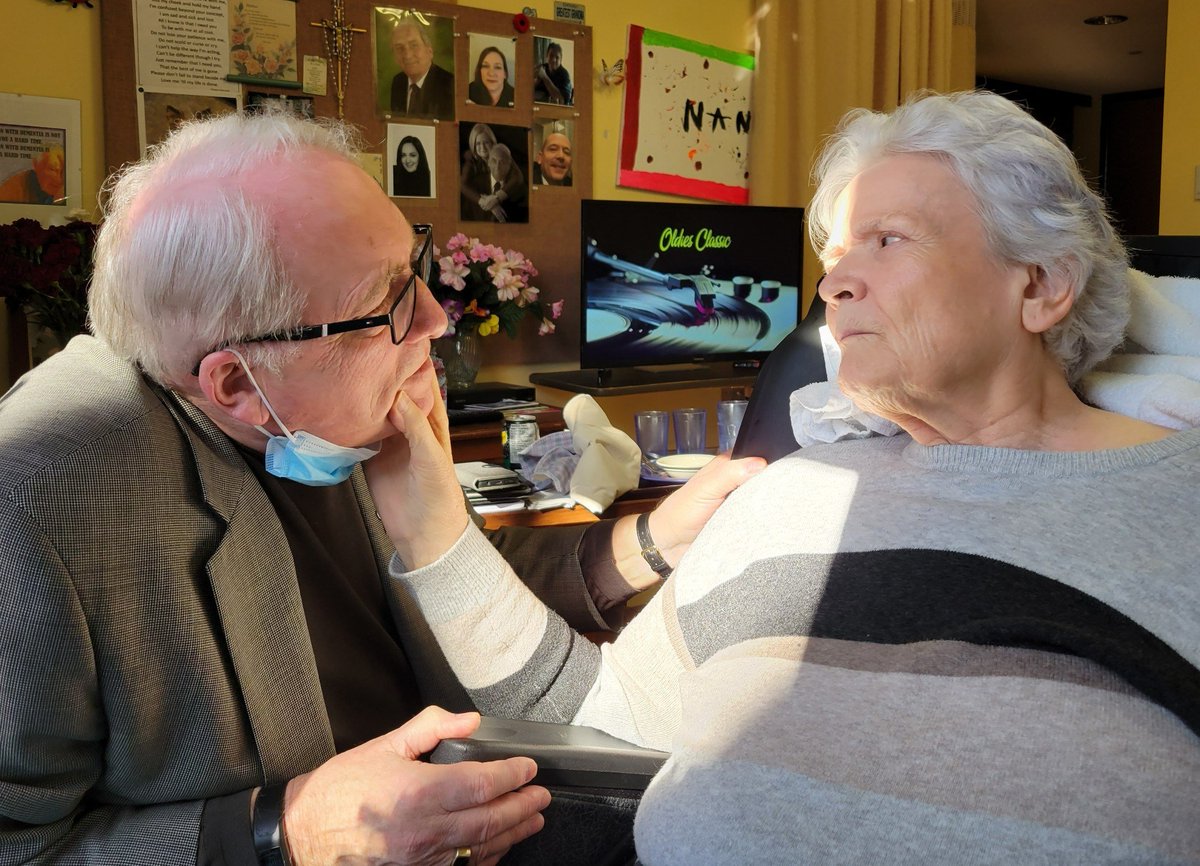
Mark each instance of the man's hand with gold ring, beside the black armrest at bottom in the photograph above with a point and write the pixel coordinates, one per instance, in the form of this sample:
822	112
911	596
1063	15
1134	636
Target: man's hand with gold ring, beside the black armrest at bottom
380	803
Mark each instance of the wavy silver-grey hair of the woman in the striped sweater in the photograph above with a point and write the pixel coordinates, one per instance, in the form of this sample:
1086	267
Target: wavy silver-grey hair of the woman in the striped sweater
1035	205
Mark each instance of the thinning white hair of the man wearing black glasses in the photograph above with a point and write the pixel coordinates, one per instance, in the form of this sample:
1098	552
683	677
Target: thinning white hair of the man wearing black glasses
185	260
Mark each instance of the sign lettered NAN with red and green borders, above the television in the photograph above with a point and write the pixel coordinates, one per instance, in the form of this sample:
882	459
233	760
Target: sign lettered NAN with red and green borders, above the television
686	128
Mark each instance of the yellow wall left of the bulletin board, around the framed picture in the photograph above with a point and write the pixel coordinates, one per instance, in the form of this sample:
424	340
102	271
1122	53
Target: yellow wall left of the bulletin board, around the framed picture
52	50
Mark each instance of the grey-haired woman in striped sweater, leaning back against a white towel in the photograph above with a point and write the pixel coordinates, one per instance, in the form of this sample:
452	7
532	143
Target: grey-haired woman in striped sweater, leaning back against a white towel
975	641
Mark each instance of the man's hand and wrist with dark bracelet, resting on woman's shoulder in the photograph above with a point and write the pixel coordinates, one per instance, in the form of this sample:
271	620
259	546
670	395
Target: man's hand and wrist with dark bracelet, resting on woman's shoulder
679	520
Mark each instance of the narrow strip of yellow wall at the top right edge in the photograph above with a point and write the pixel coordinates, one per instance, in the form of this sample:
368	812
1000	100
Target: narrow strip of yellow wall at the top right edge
1179	213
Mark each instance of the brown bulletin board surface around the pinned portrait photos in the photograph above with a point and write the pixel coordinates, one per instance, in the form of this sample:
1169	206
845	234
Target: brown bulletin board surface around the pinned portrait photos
550	238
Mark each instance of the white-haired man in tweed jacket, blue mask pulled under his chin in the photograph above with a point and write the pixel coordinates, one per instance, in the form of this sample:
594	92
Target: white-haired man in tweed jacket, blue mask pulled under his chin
197	633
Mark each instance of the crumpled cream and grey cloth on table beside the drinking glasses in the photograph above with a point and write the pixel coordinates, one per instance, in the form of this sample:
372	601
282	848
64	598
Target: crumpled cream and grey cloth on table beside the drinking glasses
592	461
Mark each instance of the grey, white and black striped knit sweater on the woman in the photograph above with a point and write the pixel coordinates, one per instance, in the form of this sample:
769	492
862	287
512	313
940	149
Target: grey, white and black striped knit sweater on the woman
885	652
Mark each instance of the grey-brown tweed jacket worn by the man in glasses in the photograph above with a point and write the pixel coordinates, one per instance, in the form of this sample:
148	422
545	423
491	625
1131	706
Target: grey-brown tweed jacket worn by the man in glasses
153	642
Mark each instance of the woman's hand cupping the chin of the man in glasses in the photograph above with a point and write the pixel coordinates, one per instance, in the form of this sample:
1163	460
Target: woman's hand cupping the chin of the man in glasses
415	485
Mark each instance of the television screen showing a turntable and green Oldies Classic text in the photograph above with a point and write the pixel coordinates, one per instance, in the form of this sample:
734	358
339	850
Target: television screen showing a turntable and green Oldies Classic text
683	284
